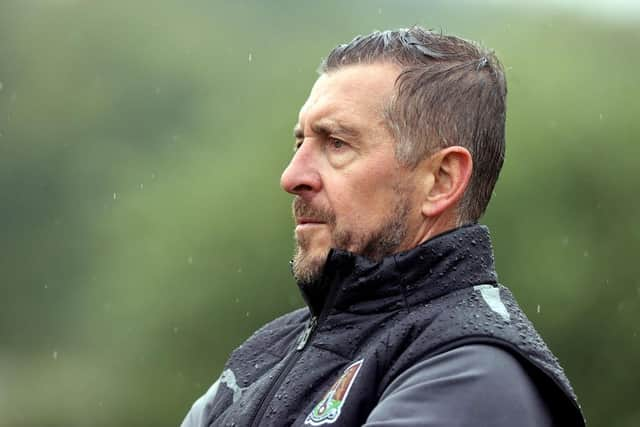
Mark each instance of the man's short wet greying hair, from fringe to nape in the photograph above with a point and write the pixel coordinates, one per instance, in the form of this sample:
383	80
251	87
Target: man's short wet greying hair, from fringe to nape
450	91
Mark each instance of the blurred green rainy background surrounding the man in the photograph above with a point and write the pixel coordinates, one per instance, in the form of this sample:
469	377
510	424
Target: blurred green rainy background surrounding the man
143	234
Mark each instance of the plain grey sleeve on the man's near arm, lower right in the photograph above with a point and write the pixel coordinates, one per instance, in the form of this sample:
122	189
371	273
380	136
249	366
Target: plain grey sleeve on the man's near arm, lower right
473	385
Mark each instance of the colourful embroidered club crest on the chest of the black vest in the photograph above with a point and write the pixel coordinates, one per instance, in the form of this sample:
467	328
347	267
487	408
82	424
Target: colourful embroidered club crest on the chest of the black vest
328	409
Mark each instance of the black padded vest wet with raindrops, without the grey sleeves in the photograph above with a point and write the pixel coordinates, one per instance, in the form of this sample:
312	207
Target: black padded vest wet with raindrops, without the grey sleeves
367	323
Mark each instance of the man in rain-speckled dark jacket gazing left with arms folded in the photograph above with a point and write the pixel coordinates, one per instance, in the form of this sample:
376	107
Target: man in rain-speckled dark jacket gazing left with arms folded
397	151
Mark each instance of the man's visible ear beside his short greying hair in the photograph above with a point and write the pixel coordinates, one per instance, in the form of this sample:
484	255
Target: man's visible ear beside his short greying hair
448	178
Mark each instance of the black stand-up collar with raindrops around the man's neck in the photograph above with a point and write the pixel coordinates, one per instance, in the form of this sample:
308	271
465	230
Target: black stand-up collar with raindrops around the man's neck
457	259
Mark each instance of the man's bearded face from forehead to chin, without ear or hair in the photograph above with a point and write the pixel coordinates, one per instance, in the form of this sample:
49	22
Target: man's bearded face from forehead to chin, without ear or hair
350	191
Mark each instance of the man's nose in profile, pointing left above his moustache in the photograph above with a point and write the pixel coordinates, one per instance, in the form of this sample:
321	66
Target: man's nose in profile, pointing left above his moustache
301	176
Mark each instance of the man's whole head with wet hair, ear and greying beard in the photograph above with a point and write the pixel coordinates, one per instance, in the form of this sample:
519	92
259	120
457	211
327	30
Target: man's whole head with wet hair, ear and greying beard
401	138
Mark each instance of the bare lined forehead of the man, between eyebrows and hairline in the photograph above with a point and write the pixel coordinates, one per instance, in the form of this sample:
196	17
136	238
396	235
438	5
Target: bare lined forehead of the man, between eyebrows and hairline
356	93
